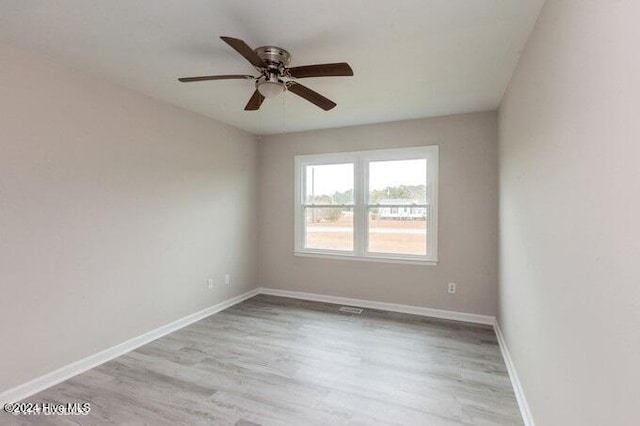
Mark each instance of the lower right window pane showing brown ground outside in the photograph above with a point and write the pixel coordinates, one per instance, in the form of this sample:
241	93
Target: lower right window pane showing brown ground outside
398	230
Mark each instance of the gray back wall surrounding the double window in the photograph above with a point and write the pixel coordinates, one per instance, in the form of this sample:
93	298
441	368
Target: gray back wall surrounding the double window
467	217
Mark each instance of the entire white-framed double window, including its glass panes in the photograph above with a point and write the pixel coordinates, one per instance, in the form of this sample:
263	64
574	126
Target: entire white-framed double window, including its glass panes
368	205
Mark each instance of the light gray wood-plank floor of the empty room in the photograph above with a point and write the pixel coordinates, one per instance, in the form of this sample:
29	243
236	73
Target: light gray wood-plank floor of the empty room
278	361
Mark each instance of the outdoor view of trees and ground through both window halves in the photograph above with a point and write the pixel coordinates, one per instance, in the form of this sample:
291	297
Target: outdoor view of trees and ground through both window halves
397	207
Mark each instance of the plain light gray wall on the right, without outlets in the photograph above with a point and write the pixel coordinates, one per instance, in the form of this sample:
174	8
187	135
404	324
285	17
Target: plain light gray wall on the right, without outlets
569	214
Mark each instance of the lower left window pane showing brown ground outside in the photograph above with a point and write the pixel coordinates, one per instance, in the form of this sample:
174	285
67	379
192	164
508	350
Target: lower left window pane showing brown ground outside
329	228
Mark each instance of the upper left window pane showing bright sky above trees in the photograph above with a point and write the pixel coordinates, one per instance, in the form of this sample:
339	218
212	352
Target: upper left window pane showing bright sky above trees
329	184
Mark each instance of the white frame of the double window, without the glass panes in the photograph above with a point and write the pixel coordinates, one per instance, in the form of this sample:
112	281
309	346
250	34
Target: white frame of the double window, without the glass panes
360	161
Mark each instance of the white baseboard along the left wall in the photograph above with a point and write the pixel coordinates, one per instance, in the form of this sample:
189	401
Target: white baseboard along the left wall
53	378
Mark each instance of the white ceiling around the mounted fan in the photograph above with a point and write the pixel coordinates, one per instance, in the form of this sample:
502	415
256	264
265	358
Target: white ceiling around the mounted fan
411	58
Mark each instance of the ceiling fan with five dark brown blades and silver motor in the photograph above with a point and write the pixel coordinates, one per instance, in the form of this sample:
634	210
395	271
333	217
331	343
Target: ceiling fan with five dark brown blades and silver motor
276	76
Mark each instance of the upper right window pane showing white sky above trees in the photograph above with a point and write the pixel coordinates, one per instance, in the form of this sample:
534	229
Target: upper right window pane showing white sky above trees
398	182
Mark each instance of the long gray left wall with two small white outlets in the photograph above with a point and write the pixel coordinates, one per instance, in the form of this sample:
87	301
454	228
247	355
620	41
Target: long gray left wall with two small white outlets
114	211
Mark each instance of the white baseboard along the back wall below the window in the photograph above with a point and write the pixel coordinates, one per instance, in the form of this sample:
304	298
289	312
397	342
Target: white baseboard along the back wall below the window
383	306
